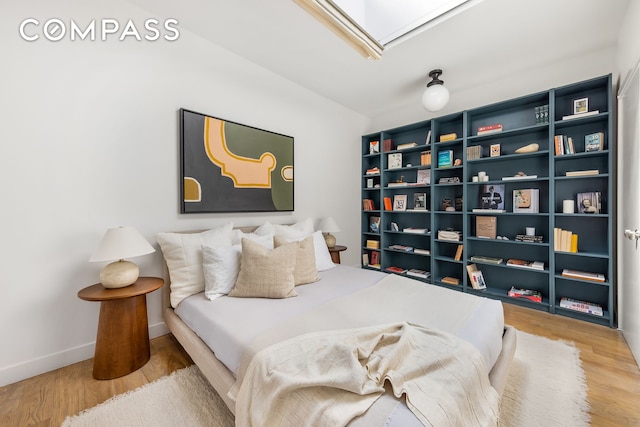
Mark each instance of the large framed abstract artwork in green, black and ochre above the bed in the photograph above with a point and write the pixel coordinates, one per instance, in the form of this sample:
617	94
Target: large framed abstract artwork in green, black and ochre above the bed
230	167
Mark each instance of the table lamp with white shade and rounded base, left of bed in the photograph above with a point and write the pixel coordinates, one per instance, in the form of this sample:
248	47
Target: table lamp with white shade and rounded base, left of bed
117	244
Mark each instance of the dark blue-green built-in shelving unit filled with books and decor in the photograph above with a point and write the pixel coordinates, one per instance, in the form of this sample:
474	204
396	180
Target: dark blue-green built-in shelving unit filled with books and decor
457	185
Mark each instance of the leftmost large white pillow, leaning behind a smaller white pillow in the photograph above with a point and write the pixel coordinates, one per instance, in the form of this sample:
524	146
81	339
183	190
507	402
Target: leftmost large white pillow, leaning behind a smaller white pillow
183	255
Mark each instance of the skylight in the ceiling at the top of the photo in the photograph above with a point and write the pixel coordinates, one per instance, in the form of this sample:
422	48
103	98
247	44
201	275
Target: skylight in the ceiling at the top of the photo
371	25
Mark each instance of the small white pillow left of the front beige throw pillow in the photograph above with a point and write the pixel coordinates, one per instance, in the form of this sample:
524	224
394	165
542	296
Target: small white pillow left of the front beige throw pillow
220	265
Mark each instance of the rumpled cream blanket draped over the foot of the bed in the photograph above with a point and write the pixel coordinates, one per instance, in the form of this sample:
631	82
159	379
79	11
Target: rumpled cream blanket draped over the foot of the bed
328	378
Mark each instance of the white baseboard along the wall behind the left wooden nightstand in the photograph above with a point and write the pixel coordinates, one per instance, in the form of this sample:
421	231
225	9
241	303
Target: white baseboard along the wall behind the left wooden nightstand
40	365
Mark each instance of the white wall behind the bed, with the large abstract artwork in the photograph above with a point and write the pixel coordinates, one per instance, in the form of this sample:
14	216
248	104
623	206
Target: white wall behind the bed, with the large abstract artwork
89	141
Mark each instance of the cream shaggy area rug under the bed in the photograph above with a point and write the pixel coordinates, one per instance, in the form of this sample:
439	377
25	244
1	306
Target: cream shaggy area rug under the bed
546	387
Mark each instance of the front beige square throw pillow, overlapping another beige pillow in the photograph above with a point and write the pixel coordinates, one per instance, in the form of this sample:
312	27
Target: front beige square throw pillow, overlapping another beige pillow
266	273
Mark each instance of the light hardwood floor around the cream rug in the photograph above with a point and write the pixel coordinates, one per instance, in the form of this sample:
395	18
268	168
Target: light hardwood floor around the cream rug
612	375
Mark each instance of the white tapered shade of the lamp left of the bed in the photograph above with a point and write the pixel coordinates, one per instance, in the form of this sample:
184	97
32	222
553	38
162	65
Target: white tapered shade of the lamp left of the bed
120	243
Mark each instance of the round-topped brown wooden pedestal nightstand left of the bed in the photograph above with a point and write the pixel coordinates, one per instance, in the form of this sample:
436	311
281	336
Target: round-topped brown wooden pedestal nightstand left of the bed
122	343
